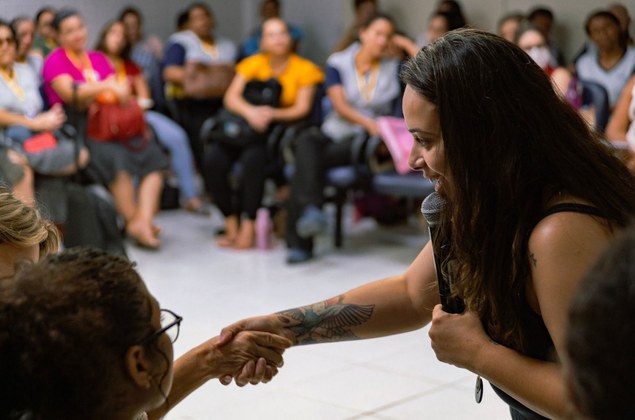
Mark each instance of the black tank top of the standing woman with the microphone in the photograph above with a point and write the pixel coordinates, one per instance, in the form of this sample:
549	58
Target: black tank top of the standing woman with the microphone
539	345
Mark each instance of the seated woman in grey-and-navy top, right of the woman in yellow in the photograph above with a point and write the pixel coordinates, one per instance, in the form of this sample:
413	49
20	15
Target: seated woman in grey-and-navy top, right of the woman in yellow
362	84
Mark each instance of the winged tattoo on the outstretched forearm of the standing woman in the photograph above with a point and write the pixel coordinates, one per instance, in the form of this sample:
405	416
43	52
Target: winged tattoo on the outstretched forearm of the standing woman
326	321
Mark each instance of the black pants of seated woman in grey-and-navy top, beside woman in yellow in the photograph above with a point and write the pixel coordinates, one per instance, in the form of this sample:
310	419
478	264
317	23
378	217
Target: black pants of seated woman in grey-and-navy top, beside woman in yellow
315	153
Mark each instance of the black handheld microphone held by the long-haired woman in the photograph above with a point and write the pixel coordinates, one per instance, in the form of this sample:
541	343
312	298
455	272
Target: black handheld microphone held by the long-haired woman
432	208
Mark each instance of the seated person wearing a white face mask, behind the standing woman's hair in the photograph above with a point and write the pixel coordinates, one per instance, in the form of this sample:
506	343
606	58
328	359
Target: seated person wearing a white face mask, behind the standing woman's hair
531	40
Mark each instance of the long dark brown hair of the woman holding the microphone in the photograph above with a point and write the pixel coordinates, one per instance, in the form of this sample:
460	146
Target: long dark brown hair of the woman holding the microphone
511	143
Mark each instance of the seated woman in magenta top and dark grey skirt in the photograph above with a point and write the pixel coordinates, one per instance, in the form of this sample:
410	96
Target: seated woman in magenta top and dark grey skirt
79	78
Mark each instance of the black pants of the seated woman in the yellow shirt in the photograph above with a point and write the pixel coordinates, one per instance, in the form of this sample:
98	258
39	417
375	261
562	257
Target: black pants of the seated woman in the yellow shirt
218	166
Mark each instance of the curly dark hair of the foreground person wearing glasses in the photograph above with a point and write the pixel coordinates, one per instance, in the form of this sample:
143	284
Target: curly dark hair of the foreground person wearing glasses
65	325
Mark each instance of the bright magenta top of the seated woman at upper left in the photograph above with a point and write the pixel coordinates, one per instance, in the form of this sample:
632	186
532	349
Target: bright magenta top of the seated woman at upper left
58	64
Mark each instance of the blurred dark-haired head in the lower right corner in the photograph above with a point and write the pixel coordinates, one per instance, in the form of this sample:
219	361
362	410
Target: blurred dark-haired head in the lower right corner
600	344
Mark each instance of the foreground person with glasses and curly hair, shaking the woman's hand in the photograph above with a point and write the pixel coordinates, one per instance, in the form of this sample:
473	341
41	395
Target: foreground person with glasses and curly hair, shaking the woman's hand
83	338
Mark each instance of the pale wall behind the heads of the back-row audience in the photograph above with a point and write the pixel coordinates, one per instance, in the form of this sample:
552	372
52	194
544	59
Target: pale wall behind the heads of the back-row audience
322	20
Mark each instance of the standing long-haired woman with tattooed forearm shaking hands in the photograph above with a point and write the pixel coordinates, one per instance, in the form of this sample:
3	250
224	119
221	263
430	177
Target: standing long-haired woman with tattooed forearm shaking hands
533	197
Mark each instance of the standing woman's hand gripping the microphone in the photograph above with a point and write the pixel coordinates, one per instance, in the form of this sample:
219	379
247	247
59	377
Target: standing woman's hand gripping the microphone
457	339
